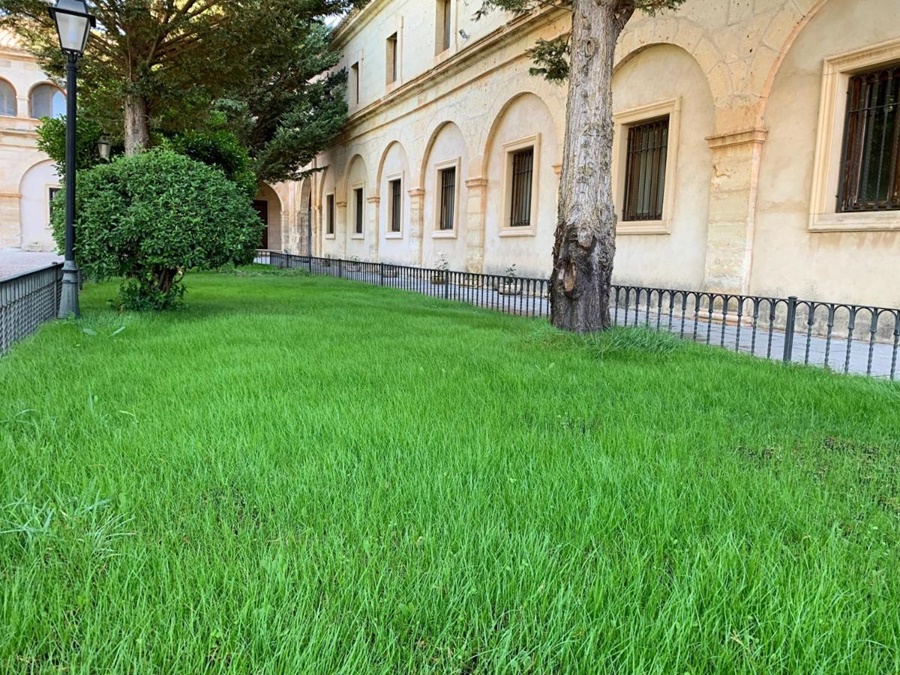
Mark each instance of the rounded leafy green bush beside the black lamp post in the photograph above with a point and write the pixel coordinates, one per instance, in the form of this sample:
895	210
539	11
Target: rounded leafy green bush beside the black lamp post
149	217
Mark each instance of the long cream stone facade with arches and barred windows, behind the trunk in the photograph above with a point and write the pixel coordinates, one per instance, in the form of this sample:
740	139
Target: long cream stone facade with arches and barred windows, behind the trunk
738	165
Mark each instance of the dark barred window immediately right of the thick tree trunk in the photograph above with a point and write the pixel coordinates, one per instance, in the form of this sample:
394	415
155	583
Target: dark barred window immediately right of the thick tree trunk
645	170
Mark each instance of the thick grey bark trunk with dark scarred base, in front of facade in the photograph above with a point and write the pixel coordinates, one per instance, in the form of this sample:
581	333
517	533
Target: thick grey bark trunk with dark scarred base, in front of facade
585	243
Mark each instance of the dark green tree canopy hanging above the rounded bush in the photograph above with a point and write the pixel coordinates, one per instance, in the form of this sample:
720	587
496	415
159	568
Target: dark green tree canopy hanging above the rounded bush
177	59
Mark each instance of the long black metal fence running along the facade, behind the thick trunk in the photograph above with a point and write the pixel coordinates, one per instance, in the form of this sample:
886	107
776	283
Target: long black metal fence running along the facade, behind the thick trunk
843	337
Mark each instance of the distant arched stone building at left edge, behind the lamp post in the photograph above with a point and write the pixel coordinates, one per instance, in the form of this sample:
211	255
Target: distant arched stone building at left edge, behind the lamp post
27	176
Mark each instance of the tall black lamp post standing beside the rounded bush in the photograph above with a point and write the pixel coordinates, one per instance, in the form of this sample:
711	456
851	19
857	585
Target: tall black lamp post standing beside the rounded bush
73	24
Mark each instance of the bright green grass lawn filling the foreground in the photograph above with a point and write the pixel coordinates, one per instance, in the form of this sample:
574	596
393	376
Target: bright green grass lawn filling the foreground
308	475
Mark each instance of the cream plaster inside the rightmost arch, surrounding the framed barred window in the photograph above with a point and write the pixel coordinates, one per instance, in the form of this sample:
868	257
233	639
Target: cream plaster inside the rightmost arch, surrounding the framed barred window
861	267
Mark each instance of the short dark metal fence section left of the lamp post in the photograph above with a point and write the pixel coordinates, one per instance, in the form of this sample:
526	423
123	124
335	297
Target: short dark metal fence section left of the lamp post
27	301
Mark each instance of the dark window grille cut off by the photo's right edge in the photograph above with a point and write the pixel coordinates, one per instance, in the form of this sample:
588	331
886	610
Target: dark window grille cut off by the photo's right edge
870	180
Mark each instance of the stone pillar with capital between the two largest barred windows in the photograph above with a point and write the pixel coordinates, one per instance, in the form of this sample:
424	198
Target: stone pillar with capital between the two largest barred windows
732	210
